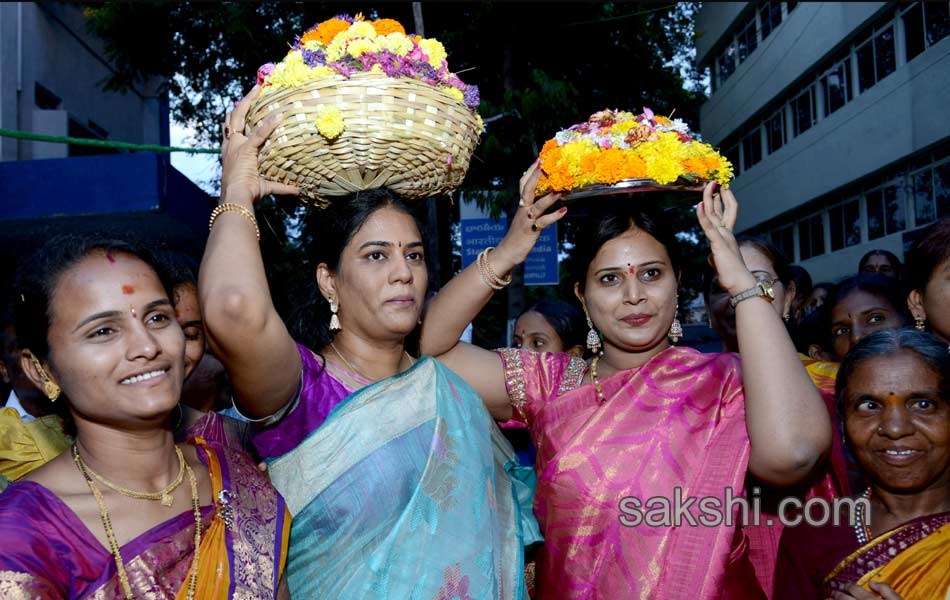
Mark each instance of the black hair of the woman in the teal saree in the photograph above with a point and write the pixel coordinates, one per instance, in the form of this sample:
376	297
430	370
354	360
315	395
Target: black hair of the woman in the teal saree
326	234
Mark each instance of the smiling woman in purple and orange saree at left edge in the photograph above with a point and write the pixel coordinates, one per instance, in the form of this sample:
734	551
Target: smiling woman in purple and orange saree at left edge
127	512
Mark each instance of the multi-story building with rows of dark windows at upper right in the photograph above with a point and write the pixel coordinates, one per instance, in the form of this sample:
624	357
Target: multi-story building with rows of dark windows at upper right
836	118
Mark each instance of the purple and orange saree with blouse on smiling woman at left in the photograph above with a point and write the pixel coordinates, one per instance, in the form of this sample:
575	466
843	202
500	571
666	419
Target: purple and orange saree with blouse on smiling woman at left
242	555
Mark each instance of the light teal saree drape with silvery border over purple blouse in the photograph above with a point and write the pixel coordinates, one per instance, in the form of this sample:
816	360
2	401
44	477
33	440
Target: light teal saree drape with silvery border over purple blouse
399	494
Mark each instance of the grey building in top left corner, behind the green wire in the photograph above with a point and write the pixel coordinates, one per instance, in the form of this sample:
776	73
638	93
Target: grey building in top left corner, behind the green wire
50	83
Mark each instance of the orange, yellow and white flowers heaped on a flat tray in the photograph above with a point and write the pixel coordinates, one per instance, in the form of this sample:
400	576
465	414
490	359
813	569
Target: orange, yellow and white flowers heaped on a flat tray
613	147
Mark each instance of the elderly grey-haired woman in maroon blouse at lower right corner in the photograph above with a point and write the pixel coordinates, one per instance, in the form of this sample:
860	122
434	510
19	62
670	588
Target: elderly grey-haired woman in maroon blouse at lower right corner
894	394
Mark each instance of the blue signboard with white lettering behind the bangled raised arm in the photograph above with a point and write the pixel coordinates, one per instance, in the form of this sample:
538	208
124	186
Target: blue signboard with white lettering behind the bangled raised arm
541	265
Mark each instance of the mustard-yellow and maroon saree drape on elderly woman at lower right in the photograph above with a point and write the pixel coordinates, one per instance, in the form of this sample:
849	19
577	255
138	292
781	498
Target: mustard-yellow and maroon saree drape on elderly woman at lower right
914	559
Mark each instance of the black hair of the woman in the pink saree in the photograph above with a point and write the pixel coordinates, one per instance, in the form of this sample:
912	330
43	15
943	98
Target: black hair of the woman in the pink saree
610	220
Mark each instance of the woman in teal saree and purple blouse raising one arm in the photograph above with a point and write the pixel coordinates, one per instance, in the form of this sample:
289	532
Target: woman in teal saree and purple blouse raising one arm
395	474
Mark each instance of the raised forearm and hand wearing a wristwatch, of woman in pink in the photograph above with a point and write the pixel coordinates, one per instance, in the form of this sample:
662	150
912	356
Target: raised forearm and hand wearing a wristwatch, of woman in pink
789	428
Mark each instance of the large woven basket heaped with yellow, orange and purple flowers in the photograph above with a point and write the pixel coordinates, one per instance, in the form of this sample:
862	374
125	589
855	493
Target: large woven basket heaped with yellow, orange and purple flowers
365	105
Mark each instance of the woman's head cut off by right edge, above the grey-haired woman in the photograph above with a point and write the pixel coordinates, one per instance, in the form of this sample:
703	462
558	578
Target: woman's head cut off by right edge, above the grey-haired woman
928	279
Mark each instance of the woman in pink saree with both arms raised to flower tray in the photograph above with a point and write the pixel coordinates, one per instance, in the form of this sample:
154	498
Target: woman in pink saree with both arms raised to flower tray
644	424
